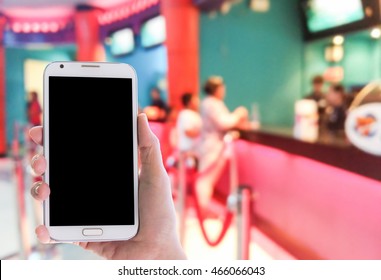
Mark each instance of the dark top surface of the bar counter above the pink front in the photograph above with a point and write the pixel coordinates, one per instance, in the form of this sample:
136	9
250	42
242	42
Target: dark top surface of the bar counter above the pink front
334	151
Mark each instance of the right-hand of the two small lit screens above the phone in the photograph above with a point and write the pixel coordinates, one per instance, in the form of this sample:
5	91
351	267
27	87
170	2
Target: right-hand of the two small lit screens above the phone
153	32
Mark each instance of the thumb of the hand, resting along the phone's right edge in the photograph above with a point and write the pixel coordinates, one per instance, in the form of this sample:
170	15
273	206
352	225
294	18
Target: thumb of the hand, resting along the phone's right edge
149	145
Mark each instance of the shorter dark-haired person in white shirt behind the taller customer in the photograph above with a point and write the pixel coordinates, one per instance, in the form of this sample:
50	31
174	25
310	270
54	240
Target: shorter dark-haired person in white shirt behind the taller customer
189	124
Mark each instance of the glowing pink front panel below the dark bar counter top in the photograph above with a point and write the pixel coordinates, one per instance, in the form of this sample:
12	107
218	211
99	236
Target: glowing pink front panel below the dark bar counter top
329	212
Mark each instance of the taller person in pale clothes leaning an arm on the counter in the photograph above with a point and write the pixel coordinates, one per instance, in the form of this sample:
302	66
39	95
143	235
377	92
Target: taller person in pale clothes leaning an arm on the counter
217	120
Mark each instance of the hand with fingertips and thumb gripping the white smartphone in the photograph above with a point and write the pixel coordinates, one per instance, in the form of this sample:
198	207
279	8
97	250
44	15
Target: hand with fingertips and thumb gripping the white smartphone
157	237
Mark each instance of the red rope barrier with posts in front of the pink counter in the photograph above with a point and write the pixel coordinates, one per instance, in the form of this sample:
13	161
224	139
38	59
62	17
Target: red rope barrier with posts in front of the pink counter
238	202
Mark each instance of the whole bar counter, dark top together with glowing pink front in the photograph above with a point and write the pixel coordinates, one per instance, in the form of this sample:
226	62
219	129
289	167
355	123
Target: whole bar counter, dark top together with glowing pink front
316	201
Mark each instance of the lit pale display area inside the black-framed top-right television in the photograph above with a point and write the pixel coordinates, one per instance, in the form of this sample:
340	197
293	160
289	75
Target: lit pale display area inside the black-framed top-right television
325	14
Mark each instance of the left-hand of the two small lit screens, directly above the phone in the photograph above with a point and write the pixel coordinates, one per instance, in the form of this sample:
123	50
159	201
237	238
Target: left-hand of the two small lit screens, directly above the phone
122	42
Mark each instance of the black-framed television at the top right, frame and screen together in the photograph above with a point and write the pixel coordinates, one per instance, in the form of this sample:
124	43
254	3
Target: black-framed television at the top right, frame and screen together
324	18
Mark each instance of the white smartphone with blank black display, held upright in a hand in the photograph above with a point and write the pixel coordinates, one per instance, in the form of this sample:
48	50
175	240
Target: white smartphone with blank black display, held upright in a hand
90	144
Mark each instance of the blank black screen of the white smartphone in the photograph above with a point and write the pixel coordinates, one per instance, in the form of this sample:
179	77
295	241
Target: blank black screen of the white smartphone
91	170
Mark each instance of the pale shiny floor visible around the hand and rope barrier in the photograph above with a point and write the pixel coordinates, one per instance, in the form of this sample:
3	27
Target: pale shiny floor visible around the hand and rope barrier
11	241
